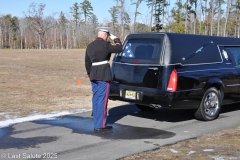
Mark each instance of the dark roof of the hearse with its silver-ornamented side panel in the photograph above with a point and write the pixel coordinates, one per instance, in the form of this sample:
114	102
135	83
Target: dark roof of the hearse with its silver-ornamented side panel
188	49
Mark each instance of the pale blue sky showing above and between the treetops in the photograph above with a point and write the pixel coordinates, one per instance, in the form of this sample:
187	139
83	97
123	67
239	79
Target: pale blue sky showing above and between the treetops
54	7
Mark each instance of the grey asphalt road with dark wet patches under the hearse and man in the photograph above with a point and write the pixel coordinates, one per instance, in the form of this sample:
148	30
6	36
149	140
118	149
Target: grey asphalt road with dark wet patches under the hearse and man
72	137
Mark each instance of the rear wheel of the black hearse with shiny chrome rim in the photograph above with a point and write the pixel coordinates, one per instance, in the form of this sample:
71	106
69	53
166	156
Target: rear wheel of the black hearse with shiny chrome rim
210	106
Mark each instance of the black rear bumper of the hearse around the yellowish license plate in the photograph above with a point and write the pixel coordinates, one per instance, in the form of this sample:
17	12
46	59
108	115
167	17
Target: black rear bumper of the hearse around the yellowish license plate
187	99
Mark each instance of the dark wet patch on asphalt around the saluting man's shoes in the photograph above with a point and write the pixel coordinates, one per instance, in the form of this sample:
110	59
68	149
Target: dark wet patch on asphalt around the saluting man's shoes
85	126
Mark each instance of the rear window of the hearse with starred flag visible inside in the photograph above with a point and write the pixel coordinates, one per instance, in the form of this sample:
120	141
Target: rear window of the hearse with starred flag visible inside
141	51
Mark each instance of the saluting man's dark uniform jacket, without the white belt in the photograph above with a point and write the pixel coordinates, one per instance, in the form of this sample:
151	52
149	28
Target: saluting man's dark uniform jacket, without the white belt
98	51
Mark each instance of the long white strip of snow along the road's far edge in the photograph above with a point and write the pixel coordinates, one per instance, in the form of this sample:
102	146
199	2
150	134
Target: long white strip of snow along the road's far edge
55	114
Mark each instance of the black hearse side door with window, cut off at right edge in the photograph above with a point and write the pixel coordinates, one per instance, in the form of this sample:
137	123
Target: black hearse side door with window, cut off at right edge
233	53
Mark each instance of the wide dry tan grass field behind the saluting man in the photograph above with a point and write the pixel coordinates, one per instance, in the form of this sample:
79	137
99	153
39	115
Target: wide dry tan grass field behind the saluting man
43	81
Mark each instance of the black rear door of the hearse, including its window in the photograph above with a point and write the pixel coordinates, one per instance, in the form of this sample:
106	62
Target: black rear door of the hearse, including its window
138	64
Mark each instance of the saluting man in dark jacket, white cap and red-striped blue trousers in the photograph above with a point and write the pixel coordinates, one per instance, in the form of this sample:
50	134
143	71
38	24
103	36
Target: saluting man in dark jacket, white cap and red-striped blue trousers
97	65
